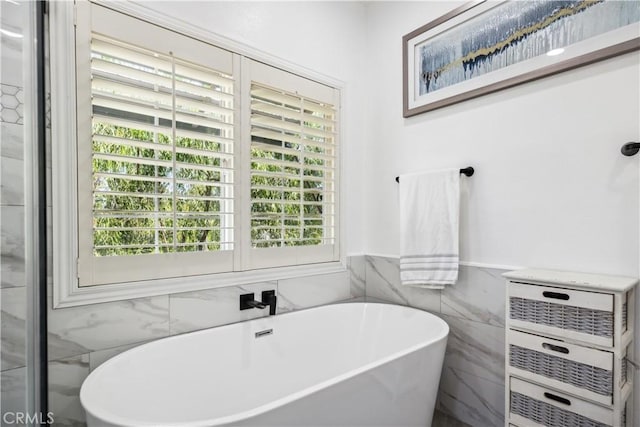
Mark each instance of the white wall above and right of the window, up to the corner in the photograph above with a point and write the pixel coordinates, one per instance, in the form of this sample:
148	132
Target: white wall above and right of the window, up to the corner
326	37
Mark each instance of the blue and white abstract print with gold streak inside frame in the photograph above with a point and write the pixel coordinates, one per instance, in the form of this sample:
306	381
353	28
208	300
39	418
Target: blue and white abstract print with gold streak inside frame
512	32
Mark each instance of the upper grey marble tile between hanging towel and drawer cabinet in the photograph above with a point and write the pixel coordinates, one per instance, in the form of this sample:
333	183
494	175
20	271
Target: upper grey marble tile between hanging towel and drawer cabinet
478	295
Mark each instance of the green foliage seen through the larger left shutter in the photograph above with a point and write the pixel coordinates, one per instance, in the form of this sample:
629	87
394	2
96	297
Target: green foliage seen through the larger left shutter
134	202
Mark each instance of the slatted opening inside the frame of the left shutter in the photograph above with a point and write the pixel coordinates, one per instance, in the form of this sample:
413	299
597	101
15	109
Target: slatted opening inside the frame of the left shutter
162	153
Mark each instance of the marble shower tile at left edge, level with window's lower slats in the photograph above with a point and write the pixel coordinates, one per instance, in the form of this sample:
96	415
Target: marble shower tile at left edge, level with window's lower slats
12	261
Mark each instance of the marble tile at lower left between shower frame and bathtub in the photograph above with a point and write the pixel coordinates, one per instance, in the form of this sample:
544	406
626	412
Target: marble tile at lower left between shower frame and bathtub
65	379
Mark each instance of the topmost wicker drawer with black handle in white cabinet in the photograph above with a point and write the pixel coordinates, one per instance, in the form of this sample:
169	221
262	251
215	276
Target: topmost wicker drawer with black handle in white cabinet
579	315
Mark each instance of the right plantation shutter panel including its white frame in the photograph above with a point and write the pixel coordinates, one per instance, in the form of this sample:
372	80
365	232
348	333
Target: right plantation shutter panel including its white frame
294	169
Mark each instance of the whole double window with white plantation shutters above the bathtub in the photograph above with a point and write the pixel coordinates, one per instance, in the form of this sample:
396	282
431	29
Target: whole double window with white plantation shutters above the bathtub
186	169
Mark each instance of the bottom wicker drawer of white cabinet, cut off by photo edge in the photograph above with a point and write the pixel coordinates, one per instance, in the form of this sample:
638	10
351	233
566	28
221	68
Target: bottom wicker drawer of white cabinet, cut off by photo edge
533	405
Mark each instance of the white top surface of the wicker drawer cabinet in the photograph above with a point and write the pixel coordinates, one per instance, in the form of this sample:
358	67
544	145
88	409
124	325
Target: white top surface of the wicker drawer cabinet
574	280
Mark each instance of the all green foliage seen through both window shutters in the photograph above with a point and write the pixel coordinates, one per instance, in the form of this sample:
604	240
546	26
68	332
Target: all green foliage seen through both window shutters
133	204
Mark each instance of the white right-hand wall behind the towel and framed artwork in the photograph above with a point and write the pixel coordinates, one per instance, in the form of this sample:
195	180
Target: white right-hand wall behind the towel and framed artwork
551	188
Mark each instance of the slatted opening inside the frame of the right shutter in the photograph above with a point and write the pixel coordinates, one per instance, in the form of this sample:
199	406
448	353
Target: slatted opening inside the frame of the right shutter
292	158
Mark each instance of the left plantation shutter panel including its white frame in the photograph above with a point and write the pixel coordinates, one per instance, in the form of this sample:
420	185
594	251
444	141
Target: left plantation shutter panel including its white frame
161	149
